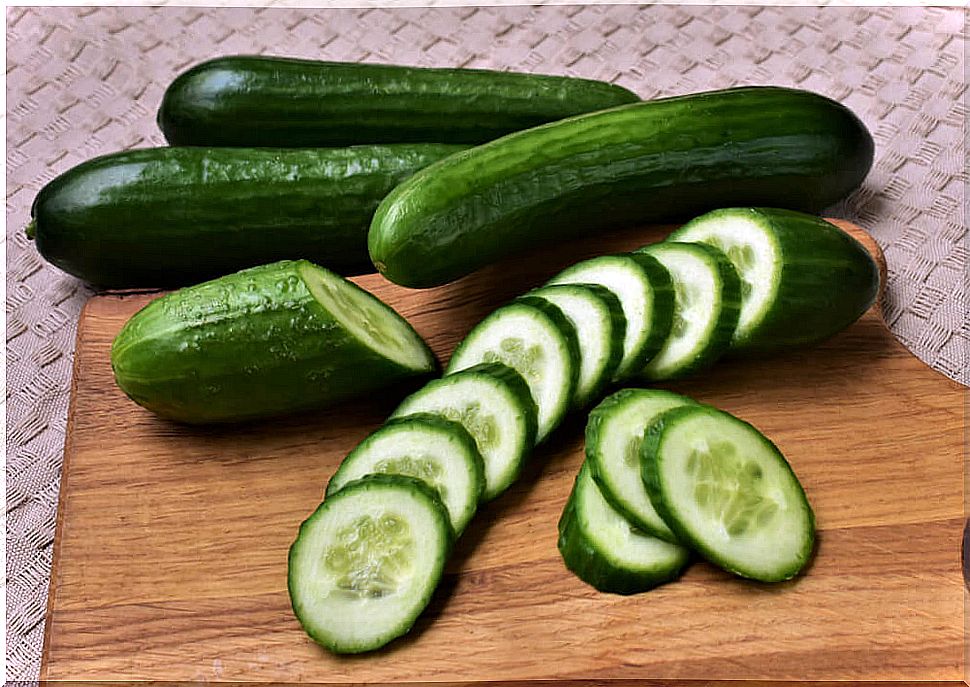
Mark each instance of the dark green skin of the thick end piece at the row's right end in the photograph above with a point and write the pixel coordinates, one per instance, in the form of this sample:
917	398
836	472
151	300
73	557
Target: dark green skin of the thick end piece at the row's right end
828	280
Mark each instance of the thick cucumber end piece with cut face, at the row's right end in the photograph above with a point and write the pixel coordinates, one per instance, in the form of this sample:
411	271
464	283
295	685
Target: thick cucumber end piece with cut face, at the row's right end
803	279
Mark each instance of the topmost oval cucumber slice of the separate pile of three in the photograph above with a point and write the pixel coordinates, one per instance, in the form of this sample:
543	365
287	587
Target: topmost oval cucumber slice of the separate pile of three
728	492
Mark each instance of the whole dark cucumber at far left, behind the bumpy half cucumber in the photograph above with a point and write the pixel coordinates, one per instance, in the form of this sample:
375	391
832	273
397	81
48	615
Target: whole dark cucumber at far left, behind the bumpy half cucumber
162	217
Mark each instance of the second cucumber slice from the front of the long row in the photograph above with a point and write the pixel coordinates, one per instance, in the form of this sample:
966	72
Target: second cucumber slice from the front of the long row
437	451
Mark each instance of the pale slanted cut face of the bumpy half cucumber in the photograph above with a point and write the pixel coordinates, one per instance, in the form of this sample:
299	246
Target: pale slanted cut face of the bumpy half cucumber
372	322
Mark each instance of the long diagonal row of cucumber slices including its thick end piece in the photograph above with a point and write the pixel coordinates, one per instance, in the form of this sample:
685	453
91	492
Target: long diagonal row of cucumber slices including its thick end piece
366	562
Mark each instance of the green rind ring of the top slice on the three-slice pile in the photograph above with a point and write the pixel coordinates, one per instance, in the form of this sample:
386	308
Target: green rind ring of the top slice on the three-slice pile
650	452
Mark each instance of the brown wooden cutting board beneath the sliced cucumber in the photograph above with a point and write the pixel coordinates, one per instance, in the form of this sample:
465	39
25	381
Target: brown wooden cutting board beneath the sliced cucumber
170	554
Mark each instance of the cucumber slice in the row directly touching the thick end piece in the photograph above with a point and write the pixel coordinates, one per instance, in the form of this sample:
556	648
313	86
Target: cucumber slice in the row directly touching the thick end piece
707	300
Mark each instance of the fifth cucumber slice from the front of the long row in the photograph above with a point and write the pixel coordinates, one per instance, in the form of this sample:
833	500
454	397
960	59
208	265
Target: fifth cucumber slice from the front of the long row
597	317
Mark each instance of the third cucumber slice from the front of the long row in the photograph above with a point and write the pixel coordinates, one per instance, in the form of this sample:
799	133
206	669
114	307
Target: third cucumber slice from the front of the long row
494	404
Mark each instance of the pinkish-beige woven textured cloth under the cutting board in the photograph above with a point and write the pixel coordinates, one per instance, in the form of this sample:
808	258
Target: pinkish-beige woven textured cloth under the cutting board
87	81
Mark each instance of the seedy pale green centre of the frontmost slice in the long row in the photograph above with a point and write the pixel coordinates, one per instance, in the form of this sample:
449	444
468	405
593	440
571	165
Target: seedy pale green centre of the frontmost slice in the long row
371	555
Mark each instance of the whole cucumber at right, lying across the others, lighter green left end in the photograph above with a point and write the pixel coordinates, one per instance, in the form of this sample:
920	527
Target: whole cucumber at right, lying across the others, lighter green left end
665	159
